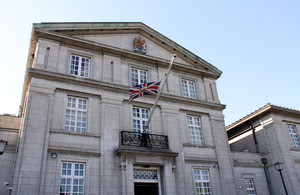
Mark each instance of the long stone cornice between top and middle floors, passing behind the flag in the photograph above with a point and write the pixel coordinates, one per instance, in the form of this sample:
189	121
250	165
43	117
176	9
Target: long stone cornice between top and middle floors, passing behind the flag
36	73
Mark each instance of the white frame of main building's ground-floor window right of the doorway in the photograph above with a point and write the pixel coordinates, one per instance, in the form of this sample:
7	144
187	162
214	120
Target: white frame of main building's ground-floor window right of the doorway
201	181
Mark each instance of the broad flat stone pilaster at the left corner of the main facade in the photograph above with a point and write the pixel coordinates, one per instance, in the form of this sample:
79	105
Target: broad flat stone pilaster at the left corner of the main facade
32	155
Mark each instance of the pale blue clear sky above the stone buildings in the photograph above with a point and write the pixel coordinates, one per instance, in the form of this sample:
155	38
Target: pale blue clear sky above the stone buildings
255	43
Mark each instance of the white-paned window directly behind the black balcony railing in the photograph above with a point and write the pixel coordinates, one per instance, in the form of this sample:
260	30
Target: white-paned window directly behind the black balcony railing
140	118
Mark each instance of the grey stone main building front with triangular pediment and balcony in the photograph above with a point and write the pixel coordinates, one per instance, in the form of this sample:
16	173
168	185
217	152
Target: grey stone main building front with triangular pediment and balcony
80	134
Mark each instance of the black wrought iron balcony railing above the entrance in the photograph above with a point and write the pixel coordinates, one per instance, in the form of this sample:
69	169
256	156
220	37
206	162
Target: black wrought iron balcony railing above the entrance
129	138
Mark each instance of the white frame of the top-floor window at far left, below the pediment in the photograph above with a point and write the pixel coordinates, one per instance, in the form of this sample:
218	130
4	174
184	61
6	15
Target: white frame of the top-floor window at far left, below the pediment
86	73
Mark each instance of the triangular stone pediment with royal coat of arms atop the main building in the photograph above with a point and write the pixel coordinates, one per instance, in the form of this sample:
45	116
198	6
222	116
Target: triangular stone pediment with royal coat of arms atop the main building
130	37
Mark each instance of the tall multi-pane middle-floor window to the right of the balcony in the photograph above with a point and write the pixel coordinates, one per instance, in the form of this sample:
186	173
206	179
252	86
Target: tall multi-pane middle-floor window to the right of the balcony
195	131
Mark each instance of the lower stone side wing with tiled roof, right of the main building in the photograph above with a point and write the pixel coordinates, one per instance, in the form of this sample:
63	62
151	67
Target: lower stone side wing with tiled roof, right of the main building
263	138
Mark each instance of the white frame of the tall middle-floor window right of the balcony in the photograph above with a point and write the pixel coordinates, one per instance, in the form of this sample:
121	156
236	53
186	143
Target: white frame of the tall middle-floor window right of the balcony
199	139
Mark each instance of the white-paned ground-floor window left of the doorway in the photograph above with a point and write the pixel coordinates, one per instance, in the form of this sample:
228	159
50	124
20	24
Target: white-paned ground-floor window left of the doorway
72	179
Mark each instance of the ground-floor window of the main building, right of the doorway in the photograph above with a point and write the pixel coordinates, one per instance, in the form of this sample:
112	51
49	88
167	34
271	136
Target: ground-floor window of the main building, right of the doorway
202	182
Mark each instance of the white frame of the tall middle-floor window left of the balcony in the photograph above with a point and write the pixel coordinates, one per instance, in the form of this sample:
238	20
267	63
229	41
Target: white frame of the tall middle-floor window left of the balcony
82	113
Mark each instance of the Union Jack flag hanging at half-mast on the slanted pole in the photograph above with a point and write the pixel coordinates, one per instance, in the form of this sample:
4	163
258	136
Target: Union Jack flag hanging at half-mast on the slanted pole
144	89
